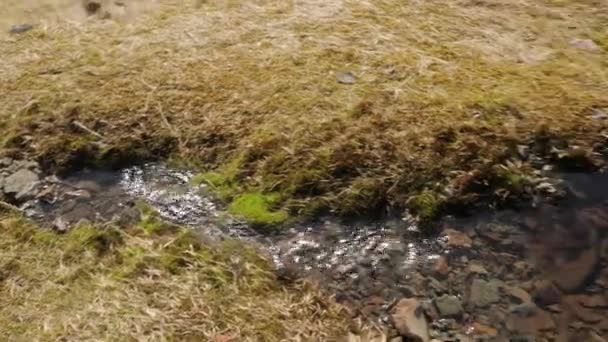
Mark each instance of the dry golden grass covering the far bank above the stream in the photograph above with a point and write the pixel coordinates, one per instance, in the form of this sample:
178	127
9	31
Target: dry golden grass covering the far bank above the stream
445	89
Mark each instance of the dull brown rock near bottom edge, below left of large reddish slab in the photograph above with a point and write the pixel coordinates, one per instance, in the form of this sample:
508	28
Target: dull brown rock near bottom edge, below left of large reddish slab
529	319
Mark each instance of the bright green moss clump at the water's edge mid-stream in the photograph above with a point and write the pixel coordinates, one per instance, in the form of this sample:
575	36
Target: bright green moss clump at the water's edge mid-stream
255	208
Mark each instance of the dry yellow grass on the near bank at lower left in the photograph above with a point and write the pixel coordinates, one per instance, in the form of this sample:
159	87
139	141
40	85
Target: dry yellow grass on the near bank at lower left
106	284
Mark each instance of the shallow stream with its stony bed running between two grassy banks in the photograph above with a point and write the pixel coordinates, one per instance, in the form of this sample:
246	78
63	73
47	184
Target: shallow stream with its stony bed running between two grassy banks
537	274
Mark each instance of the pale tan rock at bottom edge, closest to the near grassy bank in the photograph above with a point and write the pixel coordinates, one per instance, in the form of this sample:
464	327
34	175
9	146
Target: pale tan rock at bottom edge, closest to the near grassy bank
409	320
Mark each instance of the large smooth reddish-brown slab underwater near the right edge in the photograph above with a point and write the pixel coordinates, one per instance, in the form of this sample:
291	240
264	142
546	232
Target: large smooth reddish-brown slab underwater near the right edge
573	274
